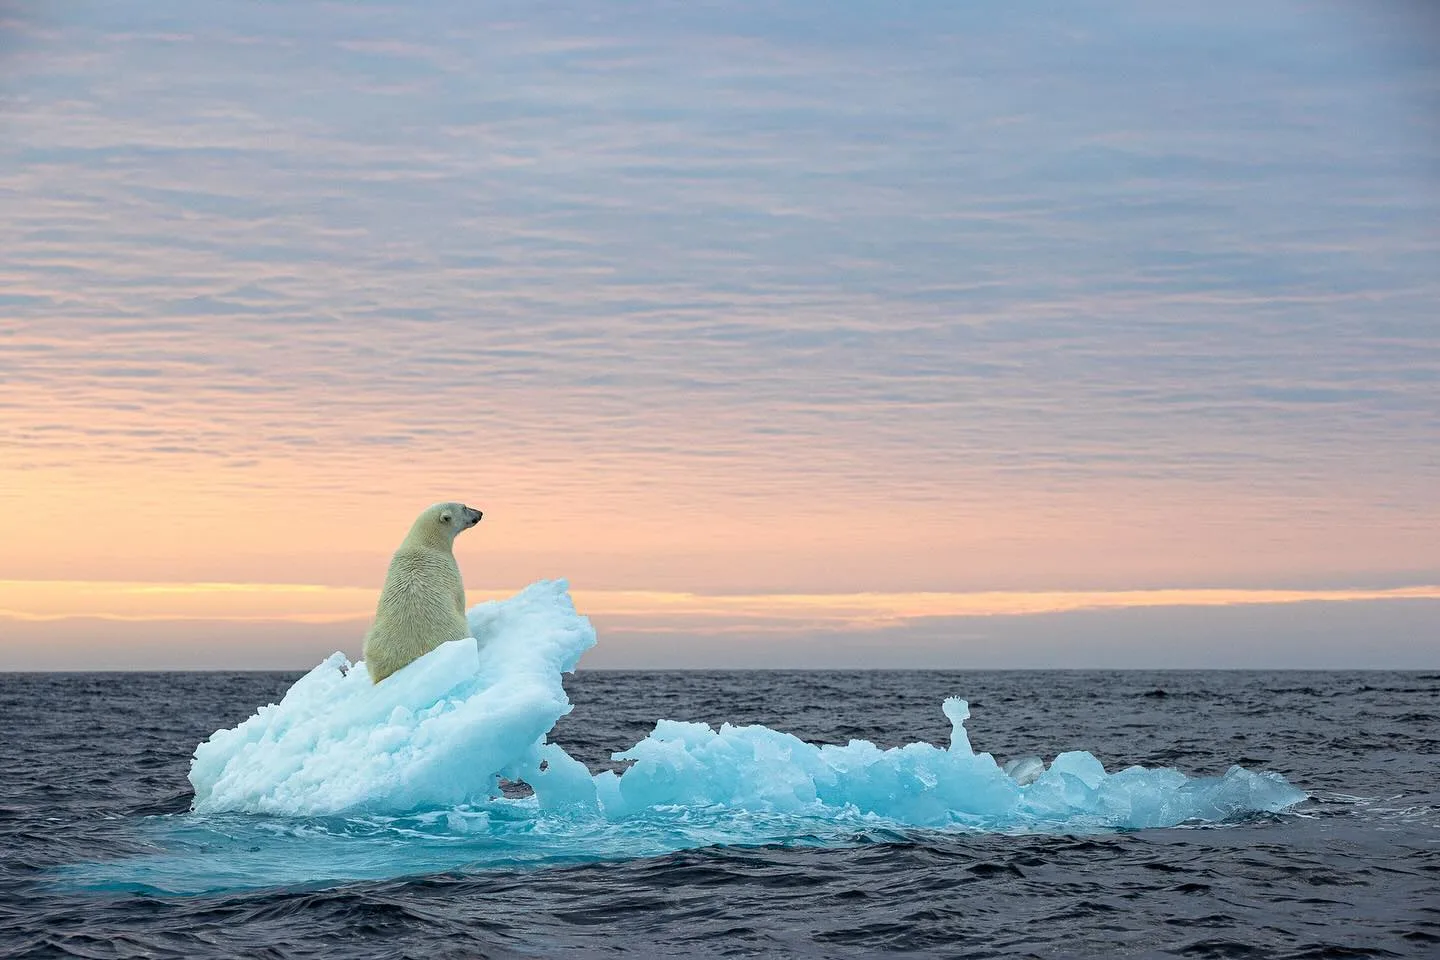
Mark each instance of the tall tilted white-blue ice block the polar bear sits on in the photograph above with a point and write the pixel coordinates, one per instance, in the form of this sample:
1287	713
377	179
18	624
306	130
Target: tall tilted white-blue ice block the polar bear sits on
437	733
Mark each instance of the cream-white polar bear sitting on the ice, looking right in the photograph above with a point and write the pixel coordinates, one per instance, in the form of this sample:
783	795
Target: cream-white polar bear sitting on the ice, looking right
423	604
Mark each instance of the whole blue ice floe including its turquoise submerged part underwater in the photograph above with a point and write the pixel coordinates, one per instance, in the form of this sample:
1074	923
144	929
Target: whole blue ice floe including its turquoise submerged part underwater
346	779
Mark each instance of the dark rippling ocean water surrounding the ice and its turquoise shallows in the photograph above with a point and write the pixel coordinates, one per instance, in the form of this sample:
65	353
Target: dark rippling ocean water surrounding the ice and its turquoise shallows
91	762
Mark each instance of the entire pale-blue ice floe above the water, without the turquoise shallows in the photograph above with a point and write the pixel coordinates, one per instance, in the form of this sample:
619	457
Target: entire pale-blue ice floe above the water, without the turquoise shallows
441	733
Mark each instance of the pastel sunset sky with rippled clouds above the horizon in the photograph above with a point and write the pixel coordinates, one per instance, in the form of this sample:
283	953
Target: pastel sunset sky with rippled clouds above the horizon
846	335
